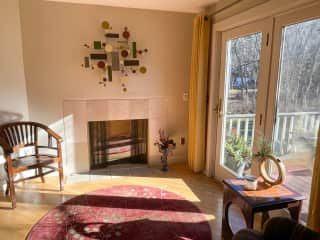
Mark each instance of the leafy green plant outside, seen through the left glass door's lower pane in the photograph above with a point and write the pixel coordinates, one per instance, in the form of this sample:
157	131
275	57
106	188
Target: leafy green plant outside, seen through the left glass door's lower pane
238	154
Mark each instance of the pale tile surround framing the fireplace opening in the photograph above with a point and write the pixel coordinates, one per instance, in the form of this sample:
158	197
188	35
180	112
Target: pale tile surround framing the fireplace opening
77	113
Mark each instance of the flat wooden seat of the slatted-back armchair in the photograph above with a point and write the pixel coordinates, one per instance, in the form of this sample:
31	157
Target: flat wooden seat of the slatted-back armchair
31	162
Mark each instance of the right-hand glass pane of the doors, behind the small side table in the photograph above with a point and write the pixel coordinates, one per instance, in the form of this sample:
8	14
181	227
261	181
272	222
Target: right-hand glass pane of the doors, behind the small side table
298	104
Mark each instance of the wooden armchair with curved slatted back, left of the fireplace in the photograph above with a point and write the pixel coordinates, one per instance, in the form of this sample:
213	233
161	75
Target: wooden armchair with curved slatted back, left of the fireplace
18	135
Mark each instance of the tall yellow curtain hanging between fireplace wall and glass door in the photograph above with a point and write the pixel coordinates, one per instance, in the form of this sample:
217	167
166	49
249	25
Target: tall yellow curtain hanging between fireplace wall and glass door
198	93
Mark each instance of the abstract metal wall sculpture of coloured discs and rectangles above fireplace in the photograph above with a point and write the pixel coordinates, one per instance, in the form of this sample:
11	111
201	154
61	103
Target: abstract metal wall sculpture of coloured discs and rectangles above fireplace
117	53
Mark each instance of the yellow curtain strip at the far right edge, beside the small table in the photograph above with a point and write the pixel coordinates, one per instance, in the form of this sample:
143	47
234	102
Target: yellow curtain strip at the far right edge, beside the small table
314	207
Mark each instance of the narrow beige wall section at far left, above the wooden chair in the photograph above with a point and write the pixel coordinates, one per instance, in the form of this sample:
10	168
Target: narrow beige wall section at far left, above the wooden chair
13	98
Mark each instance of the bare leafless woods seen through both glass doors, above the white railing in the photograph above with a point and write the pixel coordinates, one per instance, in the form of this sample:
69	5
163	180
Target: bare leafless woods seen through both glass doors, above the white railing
299	78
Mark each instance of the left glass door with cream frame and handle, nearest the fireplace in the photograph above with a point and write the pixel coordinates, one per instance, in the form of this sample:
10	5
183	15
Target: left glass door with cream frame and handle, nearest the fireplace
242	91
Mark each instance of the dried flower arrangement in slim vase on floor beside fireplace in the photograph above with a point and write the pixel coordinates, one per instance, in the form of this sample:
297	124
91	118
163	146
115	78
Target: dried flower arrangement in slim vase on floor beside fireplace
165	146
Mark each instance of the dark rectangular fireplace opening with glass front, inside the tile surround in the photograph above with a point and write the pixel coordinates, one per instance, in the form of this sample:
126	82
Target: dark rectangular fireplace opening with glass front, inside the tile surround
118	141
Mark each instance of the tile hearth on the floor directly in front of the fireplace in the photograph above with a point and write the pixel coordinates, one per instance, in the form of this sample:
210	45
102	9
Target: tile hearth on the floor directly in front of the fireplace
114	171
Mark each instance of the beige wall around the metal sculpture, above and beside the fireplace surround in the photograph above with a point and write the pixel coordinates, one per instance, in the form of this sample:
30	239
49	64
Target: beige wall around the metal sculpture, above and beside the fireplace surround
53	37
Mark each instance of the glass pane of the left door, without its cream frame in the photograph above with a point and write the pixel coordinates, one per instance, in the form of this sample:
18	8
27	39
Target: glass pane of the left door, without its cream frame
241	82
